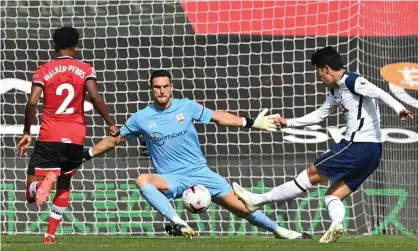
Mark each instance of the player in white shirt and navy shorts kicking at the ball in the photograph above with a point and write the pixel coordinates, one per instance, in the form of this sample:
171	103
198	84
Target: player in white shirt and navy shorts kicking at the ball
348	163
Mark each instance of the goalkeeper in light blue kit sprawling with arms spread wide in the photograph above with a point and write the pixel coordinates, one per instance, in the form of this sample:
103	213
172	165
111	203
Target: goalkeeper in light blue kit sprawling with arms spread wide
173	143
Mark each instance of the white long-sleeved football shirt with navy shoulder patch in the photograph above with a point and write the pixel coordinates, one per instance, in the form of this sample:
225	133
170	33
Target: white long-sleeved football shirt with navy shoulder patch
357	99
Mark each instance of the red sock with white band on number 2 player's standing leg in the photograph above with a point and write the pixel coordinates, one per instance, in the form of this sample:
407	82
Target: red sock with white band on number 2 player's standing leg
60	204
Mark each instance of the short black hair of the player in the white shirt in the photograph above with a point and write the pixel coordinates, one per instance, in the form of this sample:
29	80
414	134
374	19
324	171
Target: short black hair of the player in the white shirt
327	56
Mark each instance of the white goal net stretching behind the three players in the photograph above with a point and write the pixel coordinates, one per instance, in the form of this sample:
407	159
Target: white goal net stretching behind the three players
236	56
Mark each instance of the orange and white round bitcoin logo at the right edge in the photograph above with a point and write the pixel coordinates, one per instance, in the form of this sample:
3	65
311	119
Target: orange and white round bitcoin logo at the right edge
402	77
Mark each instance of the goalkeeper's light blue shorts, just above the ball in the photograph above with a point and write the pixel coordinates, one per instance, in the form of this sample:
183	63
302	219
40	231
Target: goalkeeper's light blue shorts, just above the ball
177	183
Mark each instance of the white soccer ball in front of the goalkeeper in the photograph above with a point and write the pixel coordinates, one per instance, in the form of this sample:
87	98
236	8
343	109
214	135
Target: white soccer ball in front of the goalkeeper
196	199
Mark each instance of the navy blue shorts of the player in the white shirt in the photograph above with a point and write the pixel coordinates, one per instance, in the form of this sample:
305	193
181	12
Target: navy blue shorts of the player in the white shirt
351	162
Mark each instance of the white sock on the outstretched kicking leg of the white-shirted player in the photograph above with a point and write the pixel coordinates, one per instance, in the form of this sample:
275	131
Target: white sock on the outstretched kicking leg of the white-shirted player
287	191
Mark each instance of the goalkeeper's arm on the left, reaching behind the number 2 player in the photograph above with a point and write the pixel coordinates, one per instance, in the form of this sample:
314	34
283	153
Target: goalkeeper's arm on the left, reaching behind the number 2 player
130	130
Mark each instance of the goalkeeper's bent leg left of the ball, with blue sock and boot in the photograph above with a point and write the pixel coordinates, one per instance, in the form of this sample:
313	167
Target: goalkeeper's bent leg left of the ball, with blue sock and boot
159	190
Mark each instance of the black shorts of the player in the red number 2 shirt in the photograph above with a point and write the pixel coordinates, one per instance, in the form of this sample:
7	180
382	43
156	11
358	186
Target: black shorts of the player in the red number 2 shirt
60	158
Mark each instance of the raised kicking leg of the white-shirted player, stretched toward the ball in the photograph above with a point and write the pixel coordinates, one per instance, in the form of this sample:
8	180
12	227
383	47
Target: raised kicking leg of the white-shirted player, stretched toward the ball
324	168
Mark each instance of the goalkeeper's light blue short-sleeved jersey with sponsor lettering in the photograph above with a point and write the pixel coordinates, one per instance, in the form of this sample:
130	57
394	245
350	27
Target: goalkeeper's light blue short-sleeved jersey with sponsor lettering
171	137
